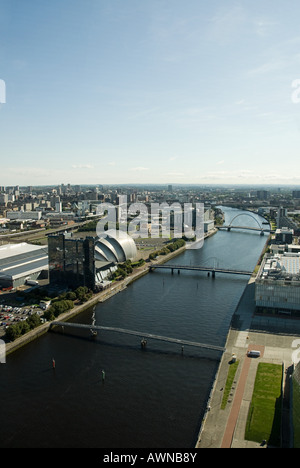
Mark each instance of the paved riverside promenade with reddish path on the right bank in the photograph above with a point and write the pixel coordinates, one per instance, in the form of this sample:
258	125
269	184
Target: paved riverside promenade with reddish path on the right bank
225	428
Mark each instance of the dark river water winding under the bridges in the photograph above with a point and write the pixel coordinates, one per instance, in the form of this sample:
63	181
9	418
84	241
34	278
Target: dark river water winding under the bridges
150	398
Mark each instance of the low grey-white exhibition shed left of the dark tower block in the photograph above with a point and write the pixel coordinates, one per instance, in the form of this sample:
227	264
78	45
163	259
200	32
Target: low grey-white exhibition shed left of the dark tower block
22	262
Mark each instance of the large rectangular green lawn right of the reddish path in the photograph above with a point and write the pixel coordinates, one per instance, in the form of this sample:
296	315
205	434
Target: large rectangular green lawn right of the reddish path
264	417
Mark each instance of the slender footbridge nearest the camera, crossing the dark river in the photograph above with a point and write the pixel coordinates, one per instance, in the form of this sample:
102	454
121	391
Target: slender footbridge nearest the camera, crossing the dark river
94	328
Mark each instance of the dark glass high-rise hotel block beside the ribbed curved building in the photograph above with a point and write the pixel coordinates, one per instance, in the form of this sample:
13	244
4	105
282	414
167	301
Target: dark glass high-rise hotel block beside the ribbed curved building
72	261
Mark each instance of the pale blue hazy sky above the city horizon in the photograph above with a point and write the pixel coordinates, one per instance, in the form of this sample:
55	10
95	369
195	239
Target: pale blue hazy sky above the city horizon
149	91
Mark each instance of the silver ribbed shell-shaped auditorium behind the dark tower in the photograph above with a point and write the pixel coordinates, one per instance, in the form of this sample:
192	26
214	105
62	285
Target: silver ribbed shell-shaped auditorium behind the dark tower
115	246
